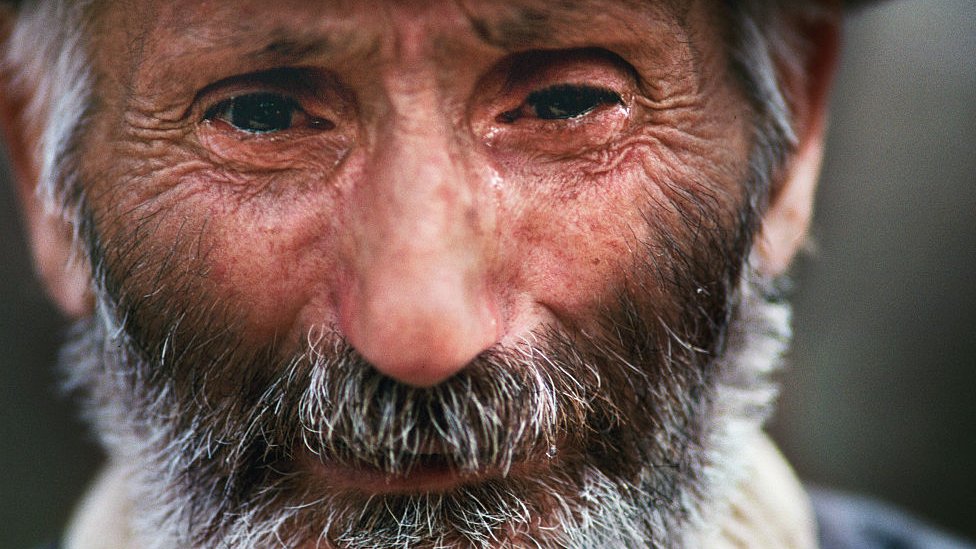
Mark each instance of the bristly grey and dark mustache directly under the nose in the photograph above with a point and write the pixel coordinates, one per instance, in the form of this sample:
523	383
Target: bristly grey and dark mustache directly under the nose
508	405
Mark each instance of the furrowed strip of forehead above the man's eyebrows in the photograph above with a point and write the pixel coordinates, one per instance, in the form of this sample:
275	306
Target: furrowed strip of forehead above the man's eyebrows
511	24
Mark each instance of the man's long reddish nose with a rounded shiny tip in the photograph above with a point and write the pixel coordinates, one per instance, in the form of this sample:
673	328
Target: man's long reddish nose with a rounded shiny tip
417	306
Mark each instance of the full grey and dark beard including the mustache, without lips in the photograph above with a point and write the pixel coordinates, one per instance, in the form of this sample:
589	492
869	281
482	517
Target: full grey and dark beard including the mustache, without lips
649	461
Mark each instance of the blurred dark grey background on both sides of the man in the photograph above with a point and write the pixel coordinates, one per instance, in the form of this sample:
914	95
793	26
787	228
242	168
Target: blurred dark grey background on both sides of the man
881	394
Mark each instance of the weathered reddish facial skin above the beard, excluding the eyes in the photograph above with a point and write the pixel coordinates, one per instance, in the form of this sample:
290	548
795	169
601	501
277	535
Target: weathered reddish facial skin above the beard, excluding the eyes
419	222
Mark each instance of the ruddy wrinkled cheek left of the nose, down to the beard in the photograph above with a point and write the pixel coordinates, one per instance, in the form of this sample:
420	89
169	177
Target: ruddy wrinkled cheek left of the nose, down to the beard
249	251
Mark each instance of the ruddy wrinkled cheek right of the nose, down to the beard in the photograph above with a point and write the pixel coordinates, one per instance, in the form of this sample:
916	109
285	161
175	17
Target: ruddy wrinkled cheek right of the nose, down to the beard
596	225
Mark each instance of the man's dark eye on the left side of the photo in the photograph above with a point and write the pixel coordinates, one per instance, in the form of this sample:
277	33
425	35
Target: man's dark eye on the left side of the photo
257	112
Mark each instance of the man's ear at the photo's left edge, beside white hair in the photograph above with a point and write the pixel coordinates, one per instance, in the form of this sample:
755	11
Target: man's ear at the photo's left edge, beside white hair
51	237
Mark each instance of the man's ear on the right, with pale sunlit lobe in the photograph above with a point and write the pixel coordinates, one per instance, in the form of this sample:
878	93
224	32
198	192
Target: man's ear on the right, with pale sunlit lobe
806	73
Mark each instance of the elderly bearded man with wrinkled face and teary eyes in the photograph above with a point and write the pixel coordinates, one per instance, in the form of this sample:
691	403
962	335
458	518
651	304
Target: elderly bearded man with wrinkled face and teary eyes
486	273
